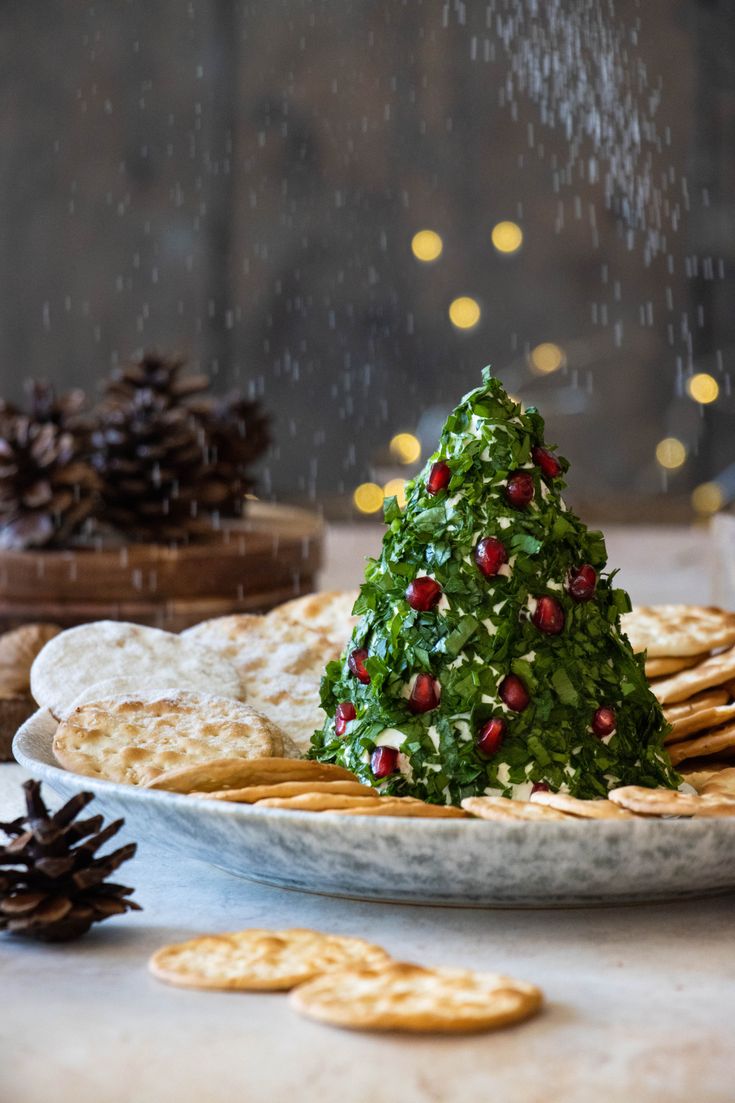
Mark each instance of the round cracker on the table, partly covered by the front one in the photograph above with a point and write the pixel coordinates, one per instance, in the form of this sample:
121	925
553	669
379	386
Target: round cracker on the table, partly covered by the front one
261	960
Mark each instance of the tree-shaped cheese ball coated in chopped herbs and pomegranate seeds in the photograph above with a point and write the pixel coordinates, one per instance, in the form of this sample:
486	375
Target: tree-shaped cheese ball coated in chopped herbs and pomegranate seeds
489	657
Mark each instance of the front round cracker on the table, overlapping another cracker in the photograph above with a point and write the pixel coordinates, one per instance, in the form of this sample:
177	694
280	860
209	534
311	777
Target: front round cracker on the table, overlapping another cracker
414	1000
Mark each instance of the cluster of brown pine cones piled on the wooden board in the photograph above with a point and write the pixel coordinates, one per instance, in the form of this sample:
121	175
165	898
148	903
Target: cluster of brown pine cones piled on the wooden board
158	459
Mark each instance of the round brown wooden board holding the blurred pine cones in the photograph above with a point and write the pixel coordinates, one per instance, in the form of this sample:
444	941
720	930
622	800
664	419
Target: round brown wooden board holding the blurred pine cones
250	566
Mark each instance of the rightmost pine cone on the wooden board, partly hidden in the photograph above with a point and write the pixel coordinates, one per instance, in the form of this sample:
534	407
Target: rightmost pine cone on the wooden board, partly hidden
237	434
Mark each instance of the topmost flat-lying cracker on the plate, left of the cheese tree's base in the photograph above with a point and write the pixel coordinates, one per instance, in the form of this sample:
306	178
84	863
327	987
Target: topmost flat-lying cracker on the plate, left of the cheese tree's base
231	774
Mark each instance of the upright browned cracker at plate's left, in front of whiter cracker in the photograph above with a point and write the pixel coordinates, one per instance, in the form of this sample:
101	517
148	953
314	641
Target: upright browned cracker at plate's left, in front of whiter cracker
134	741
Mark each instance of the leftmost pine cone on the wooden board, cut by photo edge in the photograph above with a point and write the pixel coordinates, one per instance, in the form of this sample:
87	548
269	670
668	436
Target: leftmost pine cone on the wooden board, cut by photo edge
47	487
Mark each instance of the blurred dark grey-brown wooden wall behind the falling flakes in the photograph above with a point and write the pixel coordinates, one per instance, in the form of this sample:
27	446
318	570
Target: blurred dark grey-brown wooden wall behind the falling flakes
242	183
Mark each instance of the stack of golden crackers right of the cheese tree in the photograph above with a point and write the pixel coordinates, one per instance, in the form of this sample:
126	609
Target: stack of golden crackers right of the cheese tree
690	660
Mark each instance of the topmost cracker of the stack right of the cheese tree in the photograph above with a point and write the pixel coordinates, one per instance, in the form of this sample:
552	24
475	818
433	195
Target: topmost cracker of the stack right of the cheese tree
666	631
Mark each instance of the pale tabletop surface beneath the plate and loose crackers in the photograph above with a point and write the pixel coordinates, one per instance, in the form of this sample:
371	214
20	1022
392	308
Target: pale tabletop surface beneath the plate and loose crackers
641	1001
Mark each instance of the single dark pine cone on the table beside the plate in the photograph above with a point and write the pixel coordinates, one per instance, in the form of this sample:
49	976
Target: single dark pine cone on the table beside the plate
52	887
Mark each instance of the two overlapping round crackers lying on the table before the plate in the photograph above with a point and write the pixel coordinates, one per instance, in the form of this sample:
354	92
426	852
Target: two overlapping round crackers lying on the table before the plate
348	982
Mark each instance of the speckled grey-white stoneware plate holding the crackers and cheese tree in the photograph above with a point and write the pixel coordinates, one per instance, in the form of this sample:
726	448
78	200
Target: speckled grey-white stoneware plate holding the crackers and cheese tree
466	863
